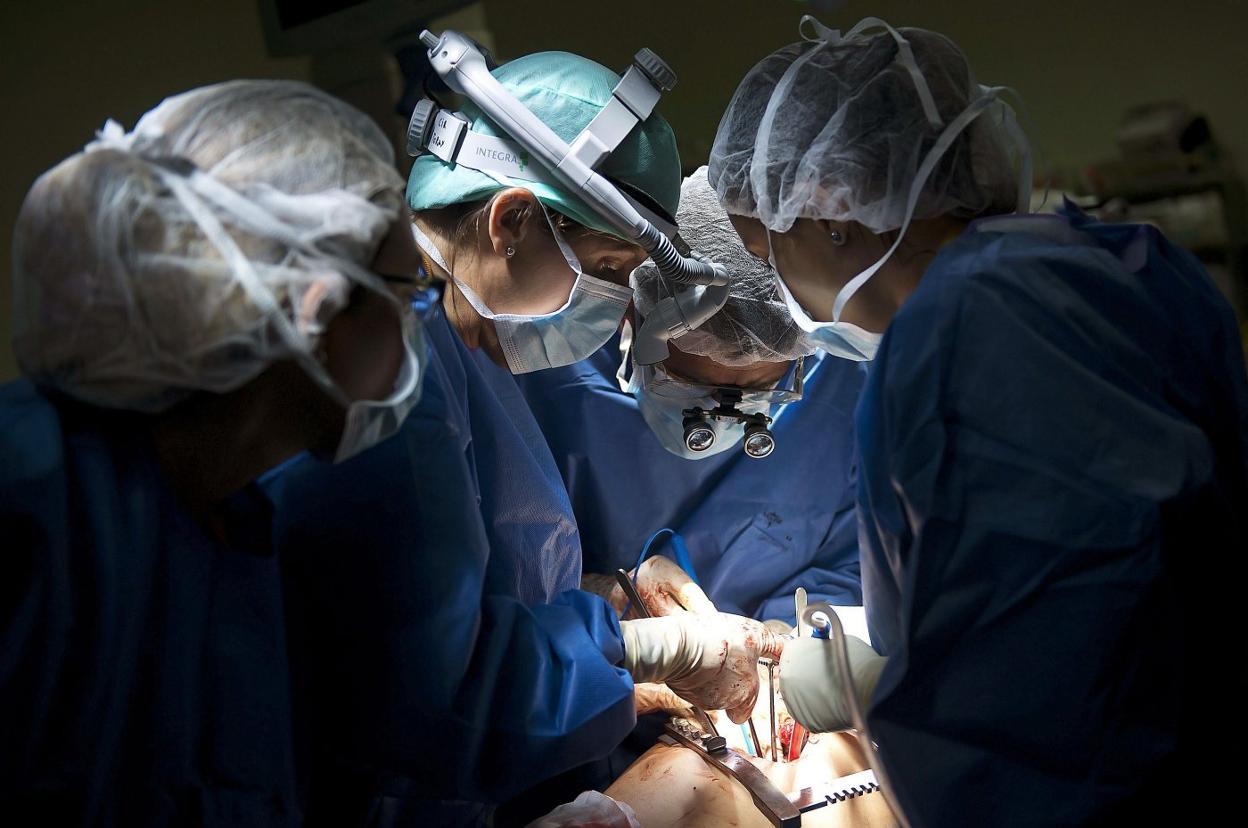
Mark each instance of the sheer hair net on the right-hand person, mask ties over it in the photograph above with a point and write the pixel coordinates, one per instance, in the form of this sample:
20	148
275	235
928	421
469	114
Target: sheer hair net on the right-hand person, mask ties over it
837	128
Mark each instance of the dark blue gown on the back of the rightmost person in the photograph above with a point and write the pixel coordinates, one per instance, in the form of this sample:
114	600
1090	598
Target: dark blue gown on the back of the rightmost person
1054	511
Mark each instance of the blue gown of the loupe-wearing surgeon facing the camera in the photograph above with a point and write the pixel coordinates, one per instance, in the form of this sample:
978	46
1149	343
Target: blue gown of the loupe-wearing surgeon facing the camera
757	530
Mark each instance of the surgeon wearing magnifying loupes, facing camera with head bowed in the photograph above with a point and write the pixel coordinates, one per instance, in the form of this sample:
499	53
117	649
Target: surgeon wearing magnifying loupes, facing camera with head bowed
756	528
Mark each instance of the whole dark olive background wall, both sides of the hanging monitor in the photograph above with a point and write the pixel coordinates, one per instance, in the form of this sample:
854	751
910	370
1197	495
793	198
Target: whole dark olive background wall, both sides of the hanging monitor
67	67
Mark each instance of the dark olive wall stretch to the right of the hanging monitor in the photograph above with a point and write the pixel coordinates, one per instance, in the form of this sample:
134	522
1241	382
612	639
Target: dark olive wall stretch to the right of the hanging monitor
1078	64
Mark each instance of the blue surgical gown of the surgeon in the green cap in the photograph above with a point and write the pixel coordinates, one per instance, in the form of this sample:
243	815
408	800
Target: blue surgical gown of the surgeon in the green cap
439	633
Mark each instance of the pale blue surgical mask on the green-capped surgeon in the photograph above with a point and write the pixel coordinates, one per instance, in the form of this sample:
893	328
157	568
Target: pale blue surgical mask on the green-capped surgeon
576	332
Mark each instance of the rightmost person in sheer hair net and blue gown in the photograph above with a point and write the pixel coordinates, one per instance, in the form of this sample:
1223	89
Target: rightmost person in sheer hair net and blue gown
1054	446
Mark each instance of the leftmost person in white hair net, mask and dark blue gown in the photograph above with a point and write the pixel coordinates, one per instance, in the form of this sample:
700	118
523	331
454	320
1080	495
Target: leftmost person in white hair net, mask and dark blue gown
195	302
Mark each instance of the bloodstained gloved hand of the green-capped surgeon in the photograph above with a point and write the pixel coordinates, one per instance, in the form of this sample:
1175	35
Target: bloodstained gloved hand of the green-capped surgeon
709	660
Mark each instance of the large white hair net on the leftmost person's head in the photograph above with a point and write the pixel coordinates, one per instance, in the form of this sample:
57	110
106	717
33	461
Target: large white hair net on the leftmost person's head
217	238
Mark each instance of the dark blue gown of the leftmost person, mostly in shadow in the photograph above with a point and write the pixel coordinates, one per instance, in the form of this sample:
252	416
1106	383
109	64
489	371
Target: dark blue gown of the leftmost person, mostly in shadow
143	661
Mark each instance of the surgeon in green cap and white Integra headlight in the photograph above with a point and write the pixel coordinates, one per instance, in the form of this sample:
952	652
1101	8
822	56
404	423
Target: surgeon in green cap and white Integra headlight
446	655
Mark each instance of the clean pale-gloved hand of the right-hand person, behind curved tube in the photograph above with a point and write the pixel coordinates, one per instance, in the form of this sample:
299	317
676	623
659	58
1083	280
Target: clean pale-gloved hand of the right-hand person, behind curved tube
814	686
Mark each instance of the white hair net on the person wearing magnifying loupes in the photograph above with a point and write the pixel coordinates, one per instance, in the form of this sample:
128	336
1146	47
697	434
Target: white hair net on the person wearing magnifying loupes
754	325
